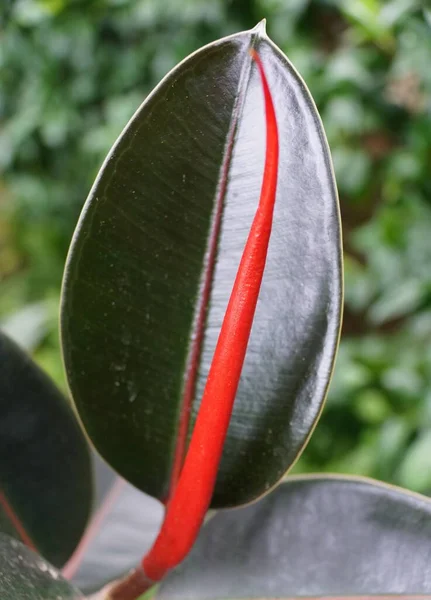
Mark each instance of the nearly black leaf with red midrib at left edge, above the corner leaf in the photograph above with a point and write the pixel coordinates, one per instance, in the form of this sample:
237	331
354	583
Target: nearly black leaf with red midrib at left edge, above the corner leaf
45	476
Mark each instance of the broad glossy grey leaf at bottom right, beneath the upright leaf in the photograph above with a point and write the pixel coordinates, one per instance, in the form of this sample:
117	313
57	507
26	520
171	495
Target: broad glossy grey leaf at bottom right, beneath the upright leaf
313	536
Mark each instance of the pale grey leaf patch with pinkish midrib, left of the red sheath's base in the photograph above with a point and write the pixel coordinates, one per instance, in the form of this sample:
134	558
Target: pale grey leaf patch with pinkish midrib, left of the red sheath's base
122	528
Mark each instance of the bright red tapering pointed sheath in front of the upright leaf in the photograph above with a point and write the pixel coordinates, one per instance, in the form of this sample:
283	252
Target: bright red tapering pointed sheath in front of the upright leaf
192	495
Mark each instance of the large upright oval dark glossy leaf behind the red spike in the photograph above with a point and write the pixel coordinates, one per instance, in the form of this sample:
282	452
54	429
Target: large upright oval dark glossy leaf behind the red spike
154	258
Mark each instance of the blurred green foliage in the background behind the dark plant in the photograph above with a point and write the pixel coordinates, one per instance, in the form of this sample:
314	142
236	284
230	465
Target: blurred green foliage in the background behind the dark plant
72	72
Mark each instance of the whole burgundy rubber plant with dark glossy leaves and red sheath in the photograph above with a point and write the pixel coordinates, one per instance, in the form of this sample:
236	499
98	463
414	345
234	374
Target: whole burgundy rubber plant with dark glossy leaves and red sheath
201	312
